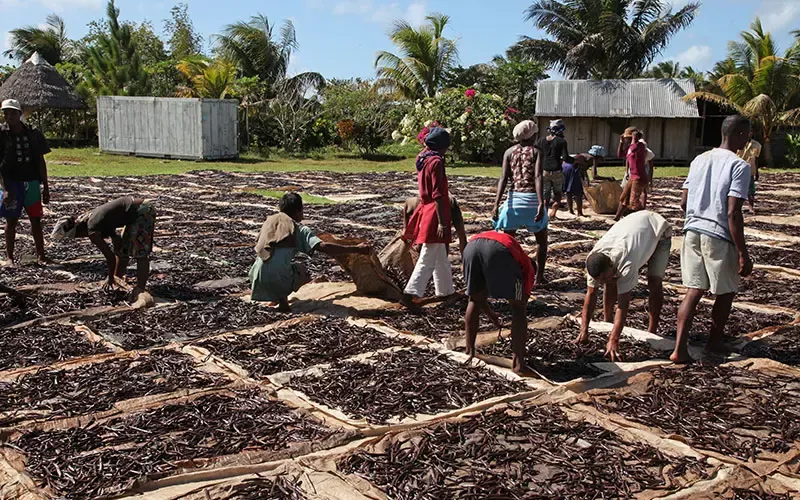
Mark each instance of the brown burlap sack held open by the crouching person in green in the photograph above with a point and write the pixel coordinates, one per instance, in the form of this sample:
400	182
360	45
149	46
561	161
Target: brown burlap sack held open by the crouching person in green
366	271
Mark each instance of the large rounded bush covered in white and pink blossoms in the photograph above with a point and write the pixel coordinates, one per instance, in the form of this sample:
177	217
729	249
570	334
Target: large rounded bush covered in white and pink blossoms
480	124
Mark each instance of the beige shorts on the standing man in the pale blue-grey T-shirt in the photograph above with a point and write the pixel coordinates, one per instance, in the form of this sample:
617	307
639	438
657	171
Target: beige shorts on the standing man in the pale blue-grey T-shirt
709	263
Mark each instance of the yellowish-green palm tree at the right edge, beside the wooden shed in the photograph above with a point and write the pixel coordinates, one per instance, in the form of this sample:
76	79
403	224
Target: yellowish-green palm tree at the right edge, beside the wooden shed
754	81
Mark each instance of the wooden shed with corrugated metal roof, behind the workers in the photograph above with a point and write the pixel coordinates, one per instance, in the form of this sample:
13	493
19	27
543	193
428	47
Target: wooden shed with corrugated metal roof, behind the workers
598	111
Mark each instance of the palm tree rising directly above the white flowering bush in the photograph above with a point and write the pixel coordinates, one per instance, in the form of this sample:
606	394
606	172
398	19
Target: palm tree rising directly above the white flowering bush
424	59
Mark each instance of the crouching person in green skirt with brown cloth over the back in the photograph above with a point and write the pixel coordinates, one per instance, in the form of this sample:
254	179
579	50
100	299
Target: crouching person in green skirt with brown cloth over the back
275	275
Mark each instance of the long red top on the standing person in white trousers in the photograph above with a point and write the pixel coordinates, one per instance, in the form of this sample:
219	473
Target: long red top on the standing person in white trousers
424	222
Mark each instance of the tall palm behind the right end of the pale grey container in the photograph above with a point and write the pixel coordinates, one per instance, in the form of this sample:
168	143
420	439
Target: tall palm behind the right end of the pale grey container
252	48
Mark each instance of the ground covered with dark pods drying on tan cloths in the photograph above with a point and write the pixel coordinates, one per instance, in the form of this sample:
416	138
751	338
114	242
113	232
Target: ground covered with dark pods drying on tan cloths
207	395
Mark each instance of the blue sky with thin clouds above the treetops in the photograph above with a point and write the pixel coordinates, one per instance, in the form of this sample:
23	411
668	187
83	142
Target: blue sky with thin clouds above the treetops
339	38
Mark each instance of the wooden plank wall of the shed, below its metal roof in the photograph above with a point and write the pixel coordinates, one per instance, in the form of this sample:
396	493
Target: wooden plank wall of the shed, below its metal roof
669	138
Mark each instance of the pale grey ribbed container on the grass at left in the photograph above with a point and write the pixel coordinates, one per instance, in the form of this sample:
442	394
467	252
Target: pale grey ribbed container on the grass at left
194	129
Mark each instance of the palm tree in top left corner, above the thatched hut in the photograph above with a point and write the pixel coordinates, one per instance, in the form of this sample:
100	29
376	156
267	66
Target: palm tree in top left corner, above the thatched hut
50	42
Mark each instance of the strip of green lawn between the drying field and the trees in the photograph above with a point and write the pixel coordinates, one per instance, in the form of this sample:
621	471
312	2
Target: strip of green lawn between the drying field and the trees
87	162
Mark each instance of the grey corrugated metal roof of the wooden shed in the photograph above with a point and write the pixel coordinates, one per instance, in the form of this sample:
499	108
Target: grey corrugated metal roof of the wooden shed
645	98
